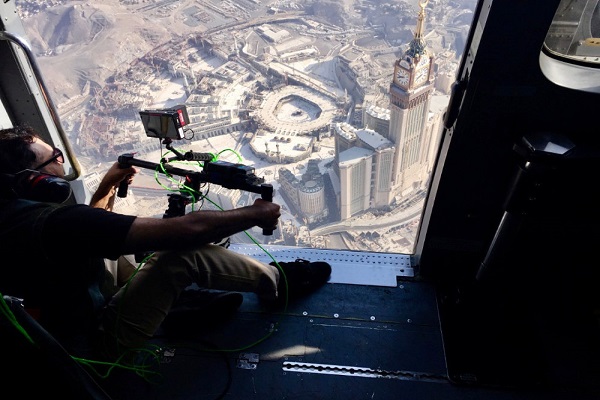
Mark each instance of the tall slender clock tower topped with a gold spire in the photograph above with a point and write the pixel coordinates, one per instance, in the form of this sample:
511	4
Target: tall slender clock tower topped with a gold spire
410	94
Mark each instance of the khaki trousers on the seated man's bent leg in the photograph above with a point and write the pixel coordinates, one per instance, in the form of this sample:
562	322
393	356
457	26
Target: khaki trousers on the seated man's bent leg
135	312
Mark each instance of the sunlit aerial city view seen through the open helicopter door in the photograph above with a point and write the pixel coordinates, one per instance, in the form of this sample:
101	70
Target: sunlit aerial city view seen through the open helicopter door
338	105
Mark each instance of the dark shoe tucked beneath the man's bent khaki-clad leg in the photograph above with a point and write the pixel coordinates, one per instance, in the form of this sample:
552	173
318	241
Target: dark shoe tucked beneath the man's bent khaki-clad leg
198	308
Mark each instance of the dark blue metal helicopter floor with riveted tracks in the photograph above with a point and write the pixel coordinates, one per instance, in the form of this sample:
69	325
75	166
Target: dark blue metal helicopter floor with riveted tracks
342	342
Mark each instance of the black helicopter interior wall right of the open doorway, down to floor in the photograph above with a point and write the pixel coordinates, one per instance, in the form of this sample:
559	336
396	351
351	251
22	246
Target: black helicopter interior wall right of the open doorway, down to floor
536	320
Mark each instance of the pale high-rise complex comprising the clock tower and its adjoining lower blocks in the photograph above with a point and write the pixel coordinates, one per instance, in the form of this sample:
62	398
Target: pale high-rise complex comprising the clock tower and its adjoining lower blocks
393	154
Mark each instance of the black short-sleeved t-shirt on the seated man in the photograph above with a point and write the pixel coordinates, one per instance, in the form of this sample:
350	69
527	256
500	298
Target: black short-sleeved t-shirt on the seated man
54	260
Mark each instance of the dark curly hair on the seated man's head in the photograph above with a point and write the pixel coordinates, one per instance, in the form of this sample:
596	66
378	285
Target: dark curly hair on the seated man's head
15	151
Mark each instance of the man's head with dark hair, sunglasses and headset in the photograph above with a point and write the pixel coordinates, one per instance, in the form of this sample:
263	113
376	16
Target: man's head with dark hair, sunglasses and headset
30	167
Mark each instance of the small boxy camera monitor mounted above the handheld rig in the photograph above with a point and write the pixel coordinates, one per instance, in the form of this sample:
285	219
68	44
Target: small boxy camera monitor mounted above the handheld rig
165	124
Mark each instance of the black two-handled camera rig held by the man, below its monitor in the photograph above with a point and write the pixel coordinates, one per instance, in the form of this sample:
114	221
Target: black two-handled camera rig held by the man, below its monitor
228	175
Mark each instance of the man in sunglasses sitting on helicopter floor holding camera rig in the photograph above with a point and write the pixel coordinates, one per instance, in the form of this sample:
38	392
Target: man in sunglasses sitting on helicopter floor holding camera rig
56	252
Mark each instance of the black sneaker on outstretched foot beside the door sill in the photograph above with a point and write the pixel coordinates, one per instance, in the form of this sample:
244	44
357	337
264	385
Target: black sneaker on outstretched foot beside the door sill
303	277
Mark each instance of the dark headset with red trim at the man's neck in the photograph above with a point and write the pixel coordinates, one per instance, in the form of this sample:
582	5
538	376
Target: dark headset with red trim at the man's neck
35	185
